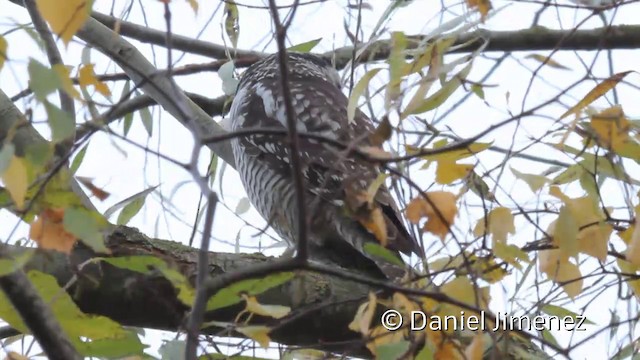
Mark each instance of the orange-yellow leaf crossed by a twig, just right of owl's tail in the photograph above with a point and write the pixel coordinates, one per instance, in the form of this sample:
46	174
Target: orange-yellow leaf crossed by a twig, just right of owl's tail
440	215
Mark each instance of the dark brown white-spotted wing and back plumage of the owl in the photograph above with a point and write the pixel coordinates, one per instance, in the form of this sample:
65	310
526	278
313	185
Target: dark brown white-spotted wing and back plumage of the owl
321	108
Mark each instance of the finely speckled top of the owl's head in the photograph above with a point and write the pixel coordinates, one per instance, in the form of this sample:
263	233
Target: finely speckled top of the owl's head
301	66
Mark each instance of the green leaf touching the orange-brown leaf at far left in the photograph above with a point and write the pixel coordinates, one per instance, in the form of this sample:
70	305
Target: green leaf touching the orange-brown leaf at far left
85	225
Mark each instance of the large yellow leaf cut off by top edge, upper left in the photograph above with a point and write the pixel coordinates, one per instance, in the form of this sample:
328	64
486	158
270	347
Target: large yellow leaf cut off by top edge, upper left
65	17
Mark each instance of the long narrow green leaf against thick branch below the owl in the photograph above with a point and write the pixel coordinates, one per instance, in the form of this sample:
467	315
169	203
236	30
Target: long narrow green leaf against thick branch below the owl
231	294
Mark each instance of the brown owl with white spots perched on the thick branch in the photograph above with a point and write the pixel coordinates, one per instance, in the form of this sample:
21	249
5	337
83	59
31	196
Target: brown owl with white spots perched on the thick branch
336	183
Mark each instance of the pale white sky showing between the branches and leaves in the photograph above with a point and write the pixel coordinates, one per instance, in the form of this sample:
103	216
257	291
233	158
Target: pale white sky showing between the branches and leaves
127	171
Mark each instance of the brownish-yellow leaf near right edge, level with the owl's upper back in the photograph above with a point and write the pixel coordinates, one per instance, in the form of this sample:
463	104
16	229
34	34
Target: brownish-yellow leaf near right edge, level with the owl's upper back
611	127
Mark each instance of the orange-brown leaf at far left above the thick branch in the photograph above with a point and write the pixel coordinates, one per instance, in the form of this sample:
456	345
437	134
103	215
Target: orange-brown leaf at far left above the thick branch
49	233
